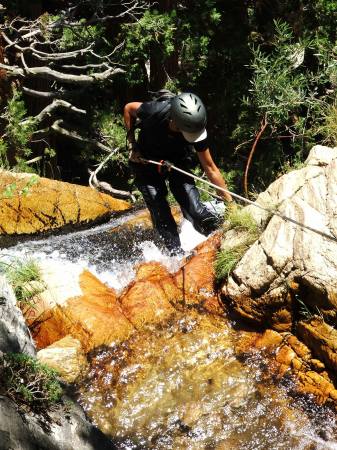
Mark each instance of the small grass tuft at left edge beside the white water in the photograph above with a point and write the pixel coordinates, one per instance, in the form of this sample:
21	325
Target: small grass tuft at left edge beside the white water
21	273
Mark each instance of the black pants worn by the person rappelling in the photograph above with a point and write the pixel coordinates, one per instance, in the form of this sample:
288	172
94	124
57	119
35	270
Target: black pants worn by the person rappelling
153	187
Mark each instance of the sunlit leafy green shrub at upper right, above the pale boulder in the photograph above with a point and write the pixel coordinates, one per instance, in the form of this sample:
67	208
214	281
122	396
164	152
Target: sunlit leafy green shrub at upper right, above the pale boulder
277	87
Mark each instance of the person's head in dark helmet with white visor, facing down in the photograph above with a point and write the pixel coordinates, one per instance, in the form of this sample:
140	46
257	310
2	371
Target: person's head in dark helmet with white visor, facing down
188	115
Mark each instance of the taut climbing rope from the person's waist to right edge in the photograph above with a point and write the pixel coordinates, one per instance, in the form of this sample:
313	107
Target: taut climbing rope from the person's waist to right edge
169	166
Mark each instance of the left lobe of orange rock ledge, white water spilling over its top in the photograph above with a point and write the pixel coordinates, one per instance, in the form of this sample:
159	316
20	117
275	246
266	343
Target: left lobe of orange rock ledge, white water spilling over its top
93	316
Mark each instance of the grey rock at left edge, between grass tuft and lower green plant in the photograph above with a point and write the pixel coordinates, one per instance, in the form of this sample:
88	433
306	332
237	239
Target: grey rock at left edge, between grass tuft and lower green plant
14	334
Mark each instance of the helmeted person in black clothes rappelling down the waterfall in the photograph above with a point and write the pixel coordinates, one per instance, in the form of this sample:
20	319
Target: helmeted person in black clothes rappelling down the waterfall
172	129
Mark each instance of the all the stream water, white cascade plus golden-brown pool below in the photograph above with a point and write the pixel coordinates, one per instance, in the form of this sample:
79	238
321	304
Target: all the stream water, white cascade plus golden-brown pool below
179	385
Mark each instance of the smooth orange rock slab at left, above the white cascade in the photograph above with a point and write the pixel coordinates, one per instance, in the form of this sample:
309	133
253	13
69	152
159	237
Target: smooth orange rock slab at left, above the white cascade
50	204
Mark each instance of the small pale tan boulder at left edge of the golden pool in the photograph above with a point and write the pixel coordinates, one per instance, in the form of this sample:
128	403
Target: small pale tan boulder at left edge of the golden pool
66	356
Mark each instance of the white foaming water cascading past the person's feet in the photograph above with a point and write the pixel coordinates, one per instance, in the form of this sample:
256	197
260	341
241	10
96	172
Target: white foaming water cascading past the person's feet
115	273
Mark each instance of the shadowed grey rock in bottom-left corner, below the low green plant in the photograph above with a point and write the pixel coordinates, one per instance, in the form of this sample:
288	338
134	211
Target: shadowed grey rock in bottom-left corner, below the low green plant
67	430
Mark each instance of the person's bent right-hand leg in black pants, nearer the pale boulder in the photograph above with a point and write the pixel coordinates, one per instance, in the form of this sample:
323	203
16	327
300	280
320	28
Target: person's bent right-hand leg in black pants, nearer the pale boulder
187	195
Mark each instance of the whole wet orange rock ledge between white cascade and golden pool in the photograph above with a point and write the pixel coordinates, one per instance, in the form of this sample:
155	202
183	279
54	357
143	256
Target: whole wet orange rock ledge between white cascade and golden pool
83	307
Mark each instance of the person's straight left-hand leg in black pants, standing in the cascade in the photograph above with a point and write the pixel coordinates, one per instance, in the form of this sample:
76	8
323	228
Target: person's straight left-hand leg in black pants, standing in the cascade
154	191
